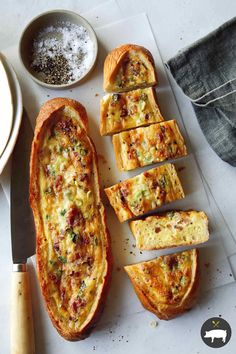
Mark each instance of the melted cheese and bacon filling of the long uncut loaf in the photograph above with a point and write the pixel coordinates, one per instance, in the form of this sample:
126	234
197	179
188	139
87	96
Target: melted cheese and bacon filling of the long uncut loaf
72	250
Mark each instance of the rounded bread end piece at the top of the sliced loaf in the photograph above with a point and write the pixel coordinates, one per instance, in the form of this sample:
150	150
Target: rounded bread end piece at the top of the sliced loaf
129	67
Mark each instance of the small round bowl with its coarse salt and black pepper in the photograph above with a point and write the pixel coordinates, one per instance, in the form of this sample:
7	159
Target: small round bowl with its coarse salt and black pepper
58	49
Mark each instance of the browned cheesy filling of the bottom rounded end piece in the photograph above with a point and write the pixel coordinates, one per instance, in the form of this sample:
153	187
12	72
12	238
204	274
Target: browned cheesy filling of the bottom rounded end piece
165	280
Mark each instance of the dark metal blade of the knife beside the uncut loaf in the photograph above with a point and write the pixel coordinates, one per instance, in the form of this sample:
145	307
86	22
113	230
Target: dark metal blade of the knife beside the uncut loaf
22	226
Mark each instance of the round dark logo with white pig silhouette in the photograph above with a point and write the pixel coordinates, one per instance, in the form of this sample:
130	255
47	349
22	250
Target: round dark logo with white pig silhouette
216	332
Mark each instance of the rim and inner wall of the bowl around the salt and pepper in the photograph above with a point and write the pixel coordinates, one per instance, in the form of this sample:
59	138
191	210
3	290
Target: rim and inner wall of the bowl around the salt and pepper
42	21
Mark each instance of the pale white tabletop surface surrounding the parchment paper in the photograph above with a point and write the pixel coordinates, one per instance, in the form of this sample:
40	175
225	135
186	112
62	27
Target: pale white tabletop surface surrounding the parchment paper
175	24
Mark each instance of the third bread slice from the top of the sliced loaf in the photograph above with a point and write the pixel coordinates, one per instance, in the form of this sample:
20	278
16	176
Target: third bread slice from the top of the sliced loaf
147	145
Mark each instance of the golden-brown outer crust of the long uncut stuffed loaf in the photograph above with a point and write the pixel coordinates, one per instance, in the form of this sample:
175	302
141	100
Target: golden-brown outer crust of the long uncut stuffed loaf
46	116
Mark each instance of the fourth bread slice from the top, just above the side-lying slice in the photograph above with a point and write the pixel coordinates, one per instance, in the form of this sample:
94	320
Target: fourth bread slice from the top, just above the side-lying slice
145	192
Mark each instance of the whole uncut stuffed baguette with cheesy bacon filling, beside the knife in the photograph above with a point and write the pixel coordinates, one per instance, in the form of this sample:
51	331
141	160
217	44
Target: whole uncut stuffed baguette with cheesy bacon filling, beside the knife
73	244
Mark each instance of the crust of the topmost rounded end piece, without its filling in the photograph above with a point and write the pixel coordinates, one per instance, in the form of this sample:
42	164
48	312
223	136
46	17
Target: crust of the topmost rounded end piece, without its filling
114	61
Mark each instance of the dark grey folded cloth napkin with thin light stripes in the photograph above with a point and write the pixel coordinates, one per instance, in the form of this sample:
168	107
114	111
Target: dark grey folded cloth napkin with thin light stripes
206	72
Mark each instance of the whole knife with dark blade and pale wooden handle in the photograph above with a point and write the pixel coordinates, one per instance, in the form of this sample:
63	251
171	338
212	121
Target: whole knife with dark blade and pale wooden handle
23	243
